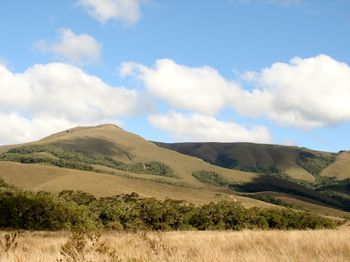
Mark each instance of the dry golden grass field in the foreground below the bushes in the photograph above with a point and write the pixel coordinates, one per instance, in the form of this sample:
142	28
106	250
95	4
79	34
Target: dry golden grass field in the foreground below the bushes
318	245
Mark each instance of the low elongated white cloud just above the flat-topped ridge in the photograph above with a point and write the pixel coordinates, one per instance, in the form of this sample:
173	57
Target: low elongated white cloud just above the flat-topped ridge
196	127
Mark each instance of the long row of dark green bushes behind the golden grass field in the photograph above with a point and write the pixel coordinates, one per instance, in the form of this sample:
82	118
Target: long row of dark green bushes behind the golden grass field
78	210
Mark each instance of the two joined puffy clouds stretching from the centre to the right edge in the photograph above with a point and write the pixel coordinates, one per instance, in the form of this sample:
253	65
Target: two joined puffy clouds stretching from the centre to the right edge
305	93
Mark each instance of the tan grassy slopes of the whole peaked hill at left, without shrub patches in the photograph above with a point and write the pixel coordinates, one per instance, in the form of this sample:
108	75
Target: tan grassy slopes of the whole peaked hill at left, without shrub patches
122	147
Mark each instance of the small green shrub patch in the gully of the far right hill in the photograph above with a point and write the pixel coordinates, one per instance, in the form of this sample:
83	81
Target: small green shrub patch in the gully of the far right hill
314	164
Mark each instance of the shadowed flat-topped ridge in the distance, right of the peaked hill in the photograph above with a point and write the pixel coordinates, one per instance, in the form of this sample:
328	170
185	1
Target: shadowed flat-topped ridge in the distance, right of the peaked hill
292	161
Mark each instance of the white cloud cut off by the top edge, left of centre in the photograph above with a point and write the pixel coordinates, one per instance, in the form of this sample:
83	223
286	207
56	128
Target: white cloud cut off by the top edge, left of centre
104	10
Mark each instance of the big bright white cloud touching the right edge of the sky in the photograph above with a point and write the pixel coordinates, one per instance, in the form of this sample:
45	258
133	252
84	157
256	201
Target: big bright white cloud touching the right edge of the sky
306	93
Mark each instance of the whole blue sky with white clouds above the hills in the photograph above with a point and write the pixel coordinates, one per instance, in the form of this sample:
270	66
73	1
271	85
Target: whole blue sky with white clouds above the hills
264	71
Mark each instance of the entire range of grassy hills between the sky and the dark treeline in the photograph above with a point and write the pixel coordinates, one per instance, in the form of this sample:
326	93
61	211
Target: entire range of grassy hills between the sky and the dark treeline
106	160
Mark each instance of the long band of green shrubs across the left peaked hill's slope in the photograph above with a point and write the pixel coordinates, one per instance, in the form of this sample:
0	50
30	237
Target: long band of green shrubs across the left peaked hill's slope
62	157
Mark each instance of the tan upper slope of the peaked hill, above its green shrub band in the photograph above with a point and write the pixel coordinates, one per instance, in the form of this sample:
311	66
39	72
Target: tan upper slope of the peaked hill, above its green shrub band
114	142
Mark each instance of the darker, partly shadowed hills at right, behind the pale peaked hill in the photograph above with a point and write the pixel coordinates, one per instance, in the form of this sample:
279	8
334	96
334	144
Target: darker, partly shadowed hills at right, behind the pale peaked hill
289	173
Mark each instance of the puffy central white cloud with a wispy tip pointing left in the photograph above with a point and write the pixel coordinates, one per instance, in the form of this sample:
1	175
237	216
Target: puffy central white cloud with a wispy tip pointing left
198	89
